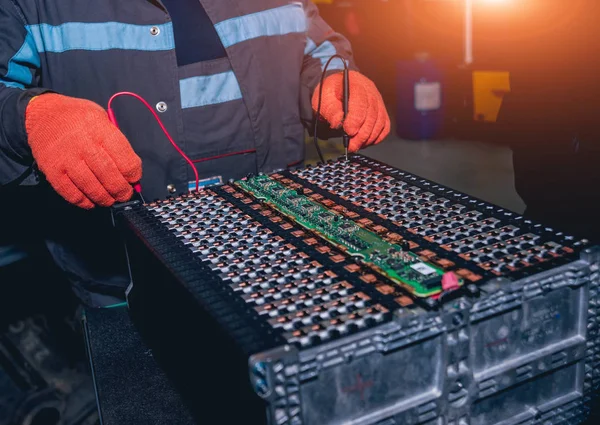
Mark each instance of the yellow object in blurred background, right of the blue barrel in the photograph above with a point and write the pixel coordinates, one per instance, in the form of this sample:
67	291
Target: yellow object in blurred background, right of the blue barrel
489	88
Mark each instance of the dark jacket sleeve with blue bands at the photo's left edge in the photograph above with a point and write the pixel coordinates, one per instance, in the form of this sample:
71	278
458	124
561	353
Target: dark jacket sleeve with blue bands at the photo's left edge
19	63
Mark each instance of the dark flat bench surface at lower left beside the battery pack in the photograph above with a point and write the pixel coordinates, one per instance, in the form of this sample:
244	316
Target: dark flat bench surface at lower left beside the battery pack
130	387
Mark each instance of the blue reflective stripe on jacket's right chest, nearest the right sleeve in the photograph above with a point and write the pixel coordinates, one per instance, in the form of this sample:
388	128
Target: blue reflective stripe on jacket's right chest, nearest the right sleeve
279	21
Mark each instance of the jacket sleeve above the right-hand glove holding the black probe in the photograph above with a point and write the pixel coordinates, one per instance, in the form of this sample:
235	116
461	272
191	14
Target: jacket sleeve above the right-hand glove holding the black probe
321	44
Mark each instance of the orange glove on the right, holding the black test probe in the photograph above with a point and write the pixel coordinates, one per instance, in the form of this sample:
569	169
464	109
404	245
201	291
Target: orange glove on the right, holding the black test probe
367	123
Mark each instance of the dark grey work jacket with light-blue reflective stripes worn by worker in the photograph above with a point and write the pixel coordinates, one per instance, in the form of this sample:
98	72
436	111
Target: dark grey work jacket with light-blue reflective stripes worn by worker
236	115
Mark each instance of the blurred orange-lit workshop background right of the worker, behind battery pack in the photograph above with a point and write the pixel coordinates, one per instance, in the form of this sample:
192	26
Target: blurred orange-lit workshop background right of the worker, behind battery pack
469	82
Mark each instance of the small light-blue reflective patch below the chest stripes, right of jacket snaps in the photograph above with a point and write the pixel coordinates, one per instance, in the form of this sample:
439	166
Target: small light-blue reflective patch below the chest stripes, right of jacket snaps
209	90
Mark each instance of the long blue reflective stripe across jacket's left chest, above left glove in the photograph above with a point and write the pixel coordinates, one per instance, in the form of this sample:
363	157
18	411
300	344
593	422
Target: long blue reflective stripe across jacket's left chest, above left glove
101	36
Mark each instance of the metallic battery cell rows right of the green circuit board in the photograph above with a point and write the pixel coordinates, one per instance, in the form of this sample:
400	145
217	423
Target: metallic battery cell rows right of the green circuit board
487	241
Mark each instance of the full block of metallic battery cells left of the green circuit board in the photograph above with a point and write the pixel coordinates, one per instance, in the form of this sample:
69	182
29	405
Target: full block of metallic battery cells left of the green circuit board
274	277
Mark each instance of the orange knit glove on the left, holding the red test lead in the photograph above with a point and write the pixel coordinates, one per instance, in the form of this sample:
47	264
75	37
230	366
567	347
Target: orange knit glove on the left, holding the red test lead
85	158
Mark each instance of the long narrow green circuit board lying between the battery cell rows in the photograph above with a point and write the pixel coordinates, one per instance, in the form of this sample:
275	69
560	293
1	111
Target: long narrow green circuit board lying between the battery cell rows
403	267
